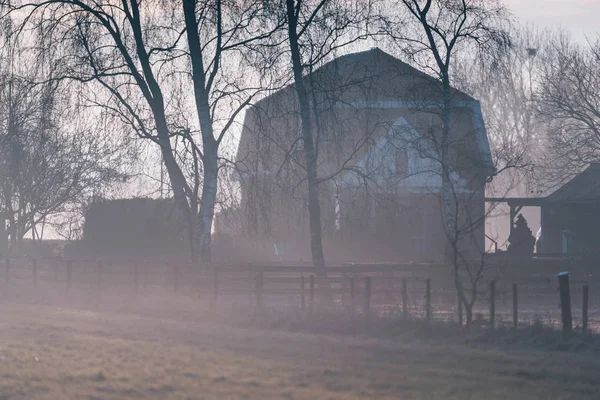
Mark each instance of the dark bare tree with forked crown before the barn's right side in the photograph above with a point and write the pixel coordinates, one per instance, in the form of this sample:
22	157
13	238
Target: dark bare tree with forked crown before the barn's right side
434	31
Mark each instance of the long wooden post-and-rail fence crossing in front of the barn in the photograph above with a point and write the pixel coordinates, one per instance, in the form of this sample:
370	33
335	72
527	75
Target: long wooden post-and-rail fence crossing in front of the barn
510	297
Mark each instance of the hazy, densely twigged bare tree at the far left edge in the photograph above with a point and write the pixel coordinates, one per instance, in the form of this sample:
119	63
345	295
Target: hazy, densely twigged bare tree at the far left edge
48	161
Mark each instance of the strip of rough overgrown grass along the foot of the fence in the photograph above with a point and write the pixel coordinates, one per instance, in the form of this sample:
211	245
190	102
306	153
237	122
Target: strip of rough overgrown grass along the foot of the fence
335	320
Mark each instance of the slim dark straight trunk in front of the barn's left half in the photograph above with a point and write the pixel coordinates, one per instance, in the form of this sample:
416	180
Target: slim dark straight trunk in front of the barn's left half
314	208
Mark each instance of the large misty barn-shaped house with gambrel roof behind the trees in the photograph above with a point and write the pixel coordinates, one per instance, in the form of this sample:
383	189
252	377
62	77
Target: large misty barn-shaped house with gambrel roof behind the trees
377	127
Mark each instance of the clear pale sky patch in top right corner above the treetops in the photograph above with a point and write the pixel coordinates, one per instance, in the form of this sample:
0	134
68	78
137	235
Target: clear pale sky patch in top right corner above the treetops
579	17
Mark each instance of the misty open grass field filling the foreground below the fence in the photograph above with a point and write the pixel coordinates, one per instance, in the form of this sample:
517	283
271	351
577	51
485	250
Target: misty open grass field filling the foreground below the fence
58	353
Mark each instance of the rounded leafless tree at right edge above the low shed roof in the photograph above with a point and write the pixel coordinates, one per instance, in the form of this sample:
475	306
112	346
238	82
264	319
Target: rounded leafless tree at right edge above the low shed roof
568	97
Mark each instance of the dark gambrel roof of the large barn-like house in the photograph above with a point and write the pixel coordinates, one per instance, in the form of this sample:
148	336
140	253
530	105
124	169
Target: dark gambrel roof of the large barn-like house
378	80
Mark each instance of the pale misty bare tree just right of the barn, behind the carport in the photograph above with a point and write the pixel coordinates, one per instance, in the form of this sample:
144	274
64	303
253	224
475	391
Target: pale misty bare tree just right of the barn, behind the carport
505	83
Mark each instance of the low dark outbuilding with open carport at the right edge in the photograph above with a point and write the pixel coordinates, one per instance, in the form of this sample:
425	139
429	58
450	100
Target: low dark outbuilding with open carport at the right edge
570	216
